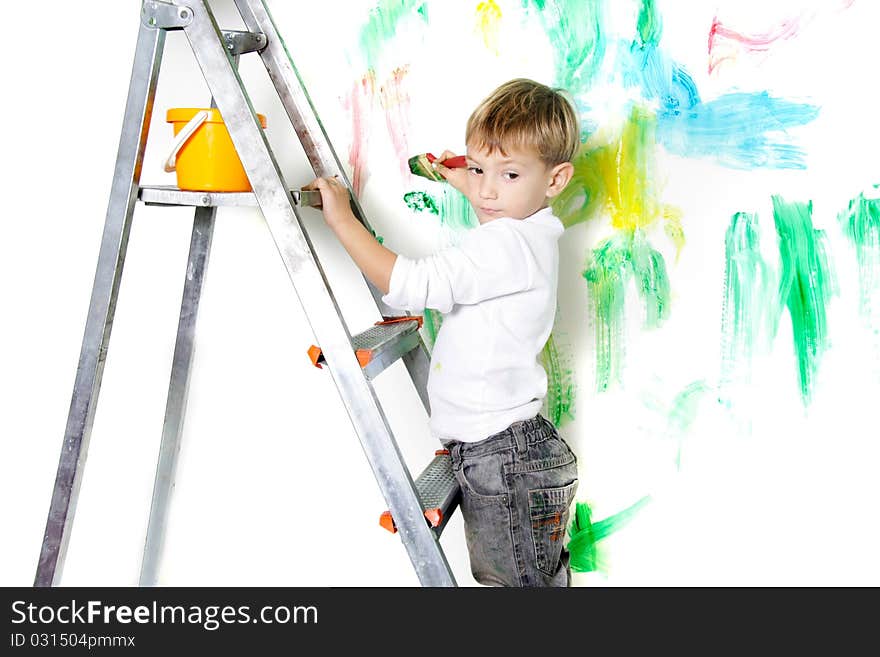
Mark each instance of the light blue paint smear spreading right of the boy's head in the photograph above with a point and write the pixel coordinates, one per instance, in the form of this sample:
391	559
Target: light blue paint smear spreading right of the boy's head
737	130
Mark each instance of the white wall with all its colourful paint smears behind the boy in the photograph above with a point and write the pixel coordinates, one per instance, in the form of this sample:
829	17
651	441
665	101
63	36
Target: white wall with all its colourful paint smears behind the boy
716	355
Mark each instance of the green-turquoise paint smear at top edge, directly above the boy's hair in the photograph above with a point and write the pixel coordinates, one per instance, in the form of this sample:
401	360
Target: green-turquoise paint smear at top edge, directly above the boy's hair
574	28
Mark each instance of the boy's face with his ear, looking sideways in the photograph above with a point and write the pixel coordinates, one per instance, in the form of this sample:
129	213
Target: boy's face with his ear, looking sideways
516	184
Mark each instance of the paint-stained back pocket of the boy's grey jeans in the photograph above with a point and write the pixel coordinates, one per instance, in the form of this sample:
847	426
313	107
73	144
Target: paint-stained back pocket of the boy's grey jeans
548	510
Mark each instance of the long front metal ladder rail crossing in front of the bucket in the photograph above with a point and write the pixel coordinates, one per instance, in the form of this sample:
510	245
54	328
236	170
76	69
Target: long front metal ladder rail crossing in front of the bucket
316	297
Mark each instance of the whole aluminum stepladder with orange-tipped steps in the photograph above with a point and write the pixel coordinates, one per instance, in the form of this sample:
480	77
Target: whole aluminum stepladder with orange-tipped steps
420	508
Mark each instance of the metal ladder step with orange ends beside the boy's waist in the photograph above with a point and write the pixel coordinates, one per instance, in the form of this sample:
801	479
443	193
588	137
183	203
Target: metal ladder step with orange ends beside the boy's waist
380	345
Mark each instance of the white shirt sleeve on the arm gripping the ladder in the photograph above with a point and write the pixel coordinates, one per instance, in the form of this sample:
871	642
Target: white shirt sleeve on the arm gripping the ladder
490	262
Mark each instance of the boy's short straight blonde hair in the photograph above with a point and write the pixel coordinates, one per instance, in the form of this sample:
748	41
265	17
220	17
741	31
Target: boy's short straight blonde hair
526	114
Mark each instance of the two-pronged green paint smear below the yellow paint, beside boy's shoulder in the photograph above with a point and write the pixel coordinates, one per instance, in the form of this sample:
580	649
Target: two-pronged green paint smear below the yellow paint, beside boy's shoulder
611	266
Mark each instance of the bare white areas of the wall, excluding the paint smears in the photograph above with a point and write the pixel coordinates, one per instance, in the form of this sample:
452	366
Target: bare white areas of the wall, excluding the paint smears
272	486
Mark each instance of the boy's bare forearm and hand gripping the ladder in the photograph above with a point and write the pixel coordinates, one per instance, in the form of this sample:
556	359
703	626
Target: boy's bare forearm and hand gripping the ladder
373	259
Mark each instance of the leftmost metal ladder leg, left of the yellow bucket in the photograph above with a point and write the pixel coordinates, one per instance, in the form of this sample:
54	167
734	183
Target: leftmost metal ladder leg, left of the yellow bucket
102	305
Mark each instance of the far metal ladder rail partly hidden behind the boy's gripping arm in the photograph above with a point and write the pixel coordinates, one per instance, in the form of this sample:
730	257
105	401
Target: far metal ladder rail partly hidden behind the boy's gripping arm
319	151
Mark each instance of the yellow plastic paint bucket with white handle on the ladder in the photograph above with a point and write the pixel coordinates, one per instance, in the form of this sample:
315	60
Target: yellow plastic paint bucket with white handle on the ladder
202	154
